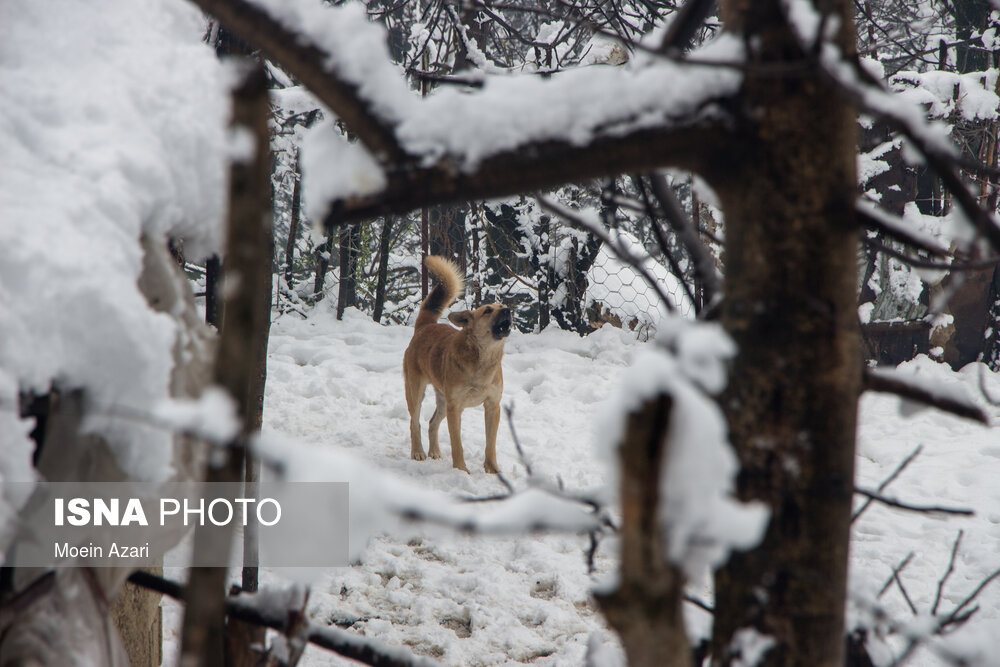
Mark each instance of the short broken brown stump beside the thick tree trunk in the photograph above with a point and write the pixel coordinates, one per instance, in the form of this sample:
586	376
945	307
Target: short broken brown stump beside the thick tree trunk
645	609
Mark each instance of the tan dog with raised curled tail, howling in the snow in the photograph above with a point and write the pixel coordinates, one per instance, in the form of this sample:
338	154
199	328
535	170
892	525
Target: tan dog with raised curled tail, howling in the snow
462	364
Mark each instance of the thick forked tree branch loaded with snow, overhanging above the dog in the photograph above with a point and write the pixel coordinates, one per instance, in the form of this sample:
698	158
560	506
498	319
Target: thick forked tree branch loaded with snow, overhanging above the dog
515	134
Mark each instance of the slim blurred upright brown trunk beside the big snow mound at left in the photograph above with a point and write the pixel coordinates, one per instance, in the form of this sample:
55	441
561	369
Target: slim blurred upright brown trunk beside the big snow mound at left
238	369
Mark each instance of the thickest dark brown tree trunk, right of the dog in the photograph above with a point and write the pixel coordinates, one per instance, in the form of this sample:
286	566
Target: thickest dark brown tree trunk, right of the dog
791	260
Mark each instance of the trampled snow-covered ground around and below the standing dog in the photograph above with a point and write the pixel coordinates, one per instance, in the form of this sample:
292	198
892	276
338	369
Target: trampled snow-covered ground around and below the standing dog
468	600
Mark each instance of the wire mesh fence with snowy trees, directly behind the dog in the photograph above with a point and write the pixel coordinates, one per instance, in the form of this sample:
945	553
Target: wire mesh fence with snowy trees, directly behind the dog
548	272
